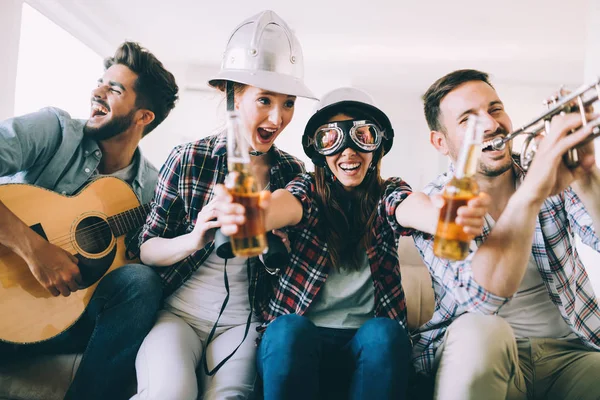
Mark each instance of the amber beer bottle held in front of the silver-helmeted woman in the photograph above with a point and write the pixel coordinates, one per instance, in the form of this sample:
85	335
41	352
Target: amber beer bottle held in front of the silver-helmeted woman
251	239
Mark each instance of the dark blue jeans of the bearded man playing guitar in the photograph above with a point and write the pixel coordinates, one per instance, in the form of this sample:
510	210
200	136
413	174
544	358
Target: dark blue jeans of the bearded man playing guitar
109	333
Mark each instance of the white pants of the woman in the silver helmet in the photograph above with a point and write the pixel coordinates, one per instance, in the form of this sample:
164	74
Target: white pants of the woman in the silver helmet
167	360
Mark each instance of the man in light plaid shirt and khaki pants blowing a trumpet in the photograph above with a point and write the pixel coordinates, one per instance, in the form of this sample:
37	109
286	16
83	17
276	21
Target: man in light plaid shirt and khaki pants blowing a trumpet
518	318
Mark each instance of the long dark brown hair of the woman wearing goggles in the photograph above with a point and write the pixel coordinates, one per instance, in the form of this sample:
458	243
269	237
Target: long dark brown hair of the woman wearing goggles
347	217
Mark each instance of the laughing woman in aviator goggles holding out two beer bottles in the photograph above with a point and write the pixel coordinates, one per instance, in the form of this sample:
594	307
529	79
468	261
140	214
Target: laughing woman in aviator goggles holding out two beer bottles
337	320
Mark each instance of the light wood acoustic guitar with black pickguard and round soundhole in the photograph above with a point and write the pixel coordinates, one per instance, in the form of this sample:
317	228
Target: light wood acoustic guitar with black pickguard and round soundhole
90	225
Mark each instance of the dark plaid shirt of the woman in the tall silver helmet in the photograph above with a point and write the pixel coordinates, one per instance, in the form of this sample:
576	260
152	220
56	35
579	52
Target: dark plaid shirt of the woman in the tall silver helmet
185	185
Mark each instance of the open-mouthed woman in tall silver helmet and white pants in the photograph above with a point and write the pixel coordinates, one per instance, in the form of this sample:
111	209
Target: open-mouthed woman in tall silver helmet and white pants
261	73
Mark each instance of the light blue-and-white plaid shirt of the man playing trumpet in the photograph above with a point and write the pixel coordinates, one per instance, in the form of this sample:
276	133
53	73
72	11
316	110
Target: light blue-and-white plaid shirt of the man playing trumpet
457	292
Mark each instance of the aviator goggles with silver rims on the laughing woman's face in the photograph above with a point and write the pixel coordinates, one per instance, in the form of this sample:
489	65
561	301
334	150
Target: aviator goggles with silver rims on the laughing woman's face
333	137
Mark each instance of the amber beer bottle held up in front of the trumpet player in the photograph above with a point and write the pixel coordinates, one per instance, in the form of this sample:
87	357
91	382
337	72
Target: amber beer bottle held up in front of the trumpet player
451	241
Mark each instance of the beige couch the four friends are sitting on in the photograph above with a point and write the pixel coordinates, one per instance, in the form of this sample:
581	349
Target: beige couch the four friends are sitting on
48	377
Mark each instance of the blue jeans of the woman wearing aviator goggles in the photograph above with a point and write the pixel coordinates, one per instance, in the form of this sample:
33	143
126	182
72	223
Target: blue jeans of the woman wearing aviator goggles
298	360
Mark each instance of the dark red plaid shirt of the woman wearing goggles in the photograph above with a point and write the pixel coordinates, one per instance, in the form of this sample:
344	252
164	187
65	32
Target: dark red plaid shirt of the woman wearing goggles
307	271
